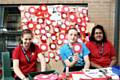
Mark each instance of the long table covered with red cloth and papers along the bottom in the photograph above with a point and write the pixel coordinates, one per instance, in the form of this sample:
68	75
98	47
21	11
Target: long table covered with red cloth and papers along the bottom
89	74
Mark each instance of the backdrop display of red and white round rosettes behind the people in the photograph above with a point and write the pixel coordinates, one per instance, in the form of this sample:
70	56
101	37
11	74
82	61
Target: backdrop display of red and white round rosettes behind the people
50	23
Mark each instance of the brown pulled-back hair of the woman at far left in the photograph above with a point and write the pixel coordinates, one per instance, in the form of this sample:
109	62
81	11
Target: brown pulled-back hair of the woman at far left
32	45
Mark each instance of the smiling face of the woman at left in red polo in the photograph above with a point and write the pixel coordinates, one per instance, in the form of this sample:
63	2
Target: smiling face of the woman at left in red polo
26	39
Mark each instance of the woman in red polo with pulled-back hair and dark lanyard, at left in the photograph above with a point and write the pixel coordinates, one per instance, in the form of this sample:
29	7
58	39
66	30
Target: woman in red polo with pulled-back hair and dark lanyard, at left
25	56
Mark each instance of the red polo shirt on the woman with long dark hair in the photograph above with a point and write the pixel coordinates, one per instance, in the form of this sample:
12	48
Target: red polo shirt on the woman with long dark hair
104	59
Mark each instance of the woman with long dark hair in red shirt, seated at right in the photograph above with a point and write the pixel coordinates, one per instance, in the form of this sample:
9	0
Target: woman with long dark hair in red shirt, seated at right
102	51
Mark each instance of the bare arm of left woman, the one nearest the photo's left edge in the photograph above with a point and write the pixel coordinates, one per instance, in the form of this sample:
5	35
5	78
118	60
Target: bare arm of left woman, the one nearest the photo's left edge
17	70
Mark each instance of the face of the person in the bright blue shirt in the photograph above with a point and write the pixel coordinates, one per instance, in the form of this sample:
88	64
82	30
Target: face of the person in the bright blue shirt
72	36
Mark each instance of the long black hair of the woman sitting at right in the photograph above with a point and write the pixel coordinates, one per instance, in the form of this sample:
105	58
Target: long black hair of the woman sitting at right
93	33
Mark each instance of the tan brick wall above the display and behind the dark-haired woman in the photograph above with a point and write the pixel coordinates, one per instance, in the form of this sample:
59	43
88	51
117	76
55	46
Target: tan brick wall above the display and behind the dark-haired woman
100	11
